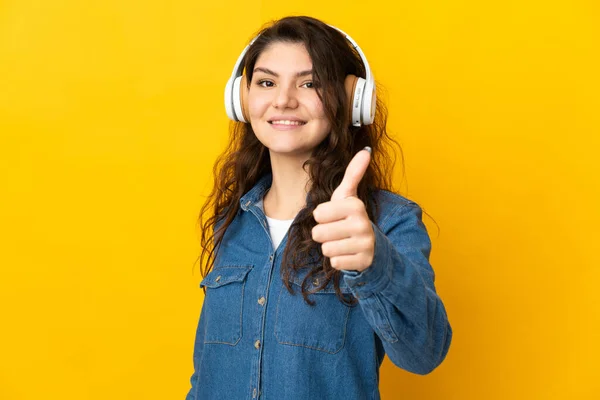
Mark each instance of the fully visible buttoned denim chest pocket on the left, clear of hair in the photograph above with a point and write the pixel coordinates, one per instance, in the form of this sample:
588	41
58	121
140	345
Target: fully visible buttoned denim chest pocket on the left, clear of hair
224	301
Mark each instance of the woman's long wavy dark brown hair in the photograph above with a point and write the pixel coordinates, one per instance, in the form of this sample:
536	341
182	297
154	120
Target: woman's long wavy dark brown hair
246	159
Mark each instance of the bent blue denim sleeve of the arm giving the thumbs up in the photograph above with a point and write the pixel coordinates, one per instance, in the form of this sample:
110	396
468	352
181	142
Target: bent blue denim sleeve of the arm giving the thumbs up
398	296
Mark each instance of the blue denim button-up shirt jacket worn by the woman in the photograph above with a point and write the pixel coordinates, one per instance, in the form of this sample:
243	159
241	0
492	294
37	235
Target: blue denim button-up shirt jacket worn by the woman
255	340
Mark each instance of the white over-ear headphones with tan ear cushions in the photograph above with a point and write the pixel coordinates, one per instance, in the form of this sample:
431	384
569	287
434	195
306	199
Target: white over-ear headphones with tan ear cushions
360	90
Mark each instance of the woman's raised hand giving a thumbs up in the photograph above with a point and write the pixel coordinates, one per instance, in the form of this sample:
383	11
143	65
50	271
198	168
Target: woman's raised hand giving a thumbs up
343	225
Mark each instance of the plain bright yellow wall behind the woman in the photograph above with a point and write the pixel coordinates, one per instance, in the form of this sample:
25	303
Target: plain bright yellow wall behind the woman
111	115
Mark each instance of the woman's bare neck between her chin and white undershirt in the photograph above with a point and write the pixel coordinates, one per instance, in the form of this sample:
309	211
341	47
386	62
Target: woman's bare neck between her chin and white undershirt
287	195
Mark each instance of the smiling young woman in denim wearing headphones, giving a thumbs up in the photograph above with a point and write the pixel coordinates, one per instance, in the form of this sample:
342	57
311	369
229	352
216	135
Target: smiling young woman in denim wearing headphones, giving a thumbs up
315	268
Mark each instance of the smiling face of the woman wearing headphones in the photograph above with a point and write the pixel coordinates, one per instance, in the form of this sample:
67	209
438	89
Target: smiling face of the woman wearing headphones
286	114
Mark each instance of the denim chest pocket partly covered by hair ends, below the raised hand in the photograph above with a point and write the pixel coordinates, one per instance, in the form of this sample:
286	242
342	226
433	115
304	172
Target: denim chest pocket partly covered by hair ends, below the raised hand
320	327
